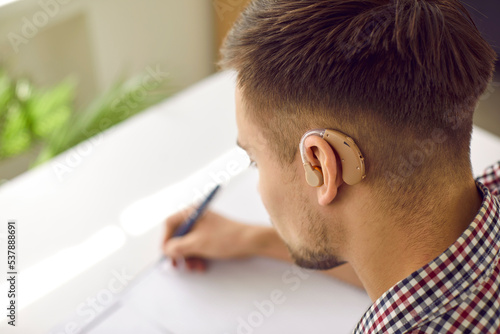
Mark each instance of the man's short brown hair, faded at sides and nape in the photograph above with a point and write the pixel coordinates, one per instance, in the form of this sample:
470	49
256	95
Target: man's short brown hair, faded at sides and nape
400	77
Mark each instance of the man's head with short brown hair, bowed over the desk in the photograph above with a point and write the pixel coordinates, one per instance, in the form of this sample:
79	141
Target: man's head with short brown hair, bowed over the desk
402	78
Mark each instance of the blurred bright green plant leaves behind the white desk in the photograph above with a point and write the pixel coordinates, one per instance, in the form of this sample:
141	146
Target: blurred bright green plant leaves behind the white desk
29	116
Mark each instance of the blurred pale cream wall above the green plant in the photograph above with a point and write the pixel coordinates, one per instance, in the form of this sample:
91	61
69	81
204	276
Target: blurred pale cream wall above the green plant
99	41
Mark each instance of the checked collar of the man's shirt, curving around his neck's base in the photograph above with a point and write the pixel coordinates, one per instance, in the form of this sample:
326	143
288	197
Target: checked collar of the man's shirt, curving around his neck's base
445	280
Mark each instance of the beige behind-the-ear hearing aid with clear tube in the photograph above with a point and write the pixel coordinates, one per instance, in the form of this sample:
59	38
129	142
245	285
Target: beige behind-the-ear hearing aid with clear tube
353	163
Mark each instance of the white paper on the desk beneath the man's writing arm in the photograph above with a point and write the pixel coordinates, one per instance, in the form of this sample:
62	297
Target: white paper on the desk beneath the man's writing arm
255	296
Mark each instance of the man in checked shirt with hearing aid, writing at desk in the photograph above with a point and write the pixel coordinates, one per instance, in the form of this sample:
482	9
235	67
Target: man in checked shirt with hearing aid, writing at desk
402	79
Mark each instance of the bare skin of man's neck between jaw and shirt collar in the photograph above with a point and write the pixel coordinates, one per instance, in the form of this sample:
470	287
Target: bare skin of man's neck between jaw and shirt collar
386	250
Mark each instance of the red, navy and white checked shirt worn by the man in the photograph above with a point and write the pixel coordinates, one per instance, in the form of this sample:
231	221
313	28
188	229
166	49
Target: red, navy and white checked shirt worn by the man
459	291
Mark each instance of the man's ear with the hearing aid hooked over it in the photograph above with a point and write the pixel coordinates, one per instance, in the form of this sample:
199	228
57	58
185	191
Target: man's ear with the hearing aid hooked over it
320	154
